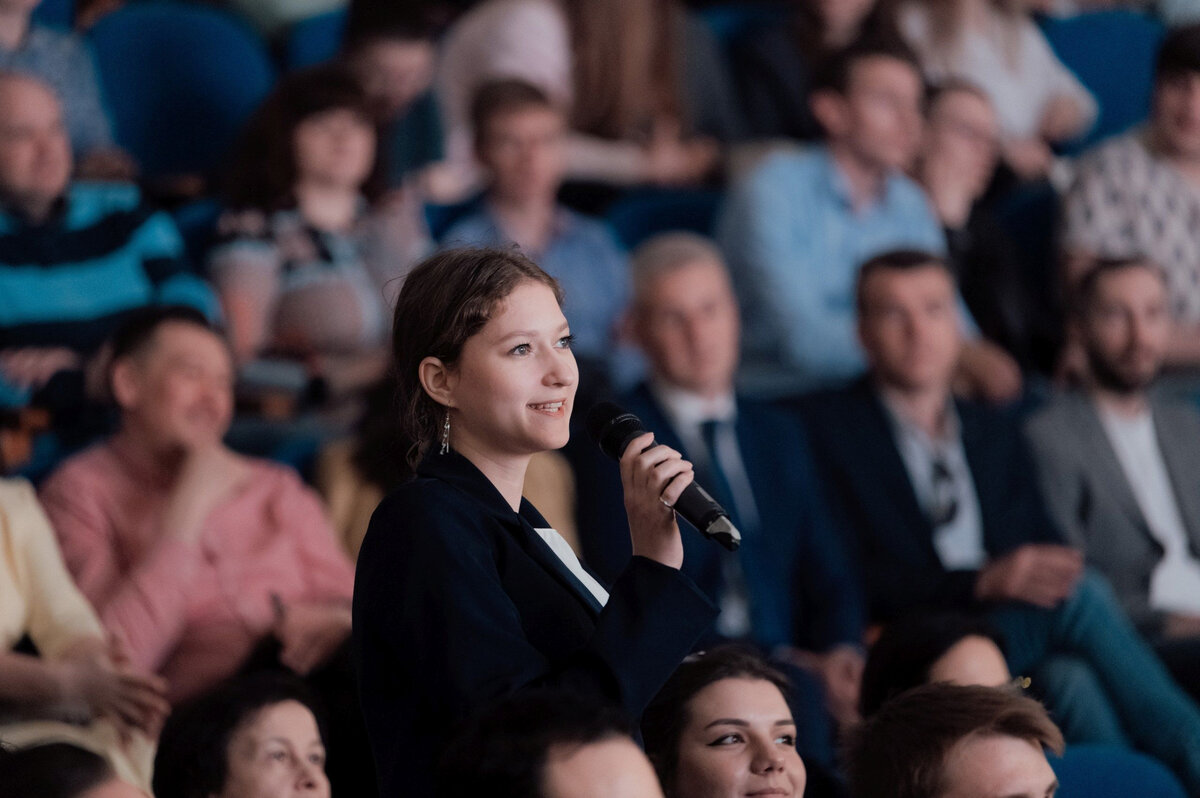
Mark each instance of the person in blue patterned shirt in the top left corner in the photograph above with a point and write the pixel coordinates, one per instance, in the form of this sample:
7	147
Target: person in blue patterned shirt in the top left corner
64	63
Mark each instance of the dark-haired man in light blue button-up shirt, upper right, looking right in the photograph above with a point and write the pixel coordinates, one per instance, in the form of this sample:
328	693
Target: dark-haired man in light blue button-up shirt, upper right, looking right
799	227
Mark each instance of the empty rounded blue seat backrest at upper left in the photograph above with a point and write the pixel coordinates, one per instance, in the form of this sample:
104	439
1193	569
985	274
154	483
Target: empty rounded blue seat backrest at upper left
181	81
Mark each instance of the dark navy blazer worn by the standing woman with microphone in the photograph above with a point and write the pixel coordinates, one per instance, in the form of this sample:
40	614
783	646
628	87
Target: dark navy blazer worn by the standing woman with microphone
459	602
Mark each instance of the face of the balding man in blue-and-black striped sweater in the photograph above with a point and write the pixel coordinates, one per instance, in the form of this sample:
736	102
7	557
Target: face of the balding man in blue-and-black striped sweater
35	153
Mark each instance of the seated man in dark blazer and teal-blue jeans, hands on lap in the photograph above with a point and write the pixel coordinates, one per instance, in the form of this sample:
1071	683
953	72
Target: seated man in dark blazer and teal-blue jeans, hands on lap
945	509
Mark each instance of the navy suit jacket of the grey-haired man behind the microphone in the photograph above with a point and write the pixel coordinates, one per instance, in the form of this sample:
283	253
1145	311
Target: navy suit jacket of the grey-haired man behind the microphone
802	586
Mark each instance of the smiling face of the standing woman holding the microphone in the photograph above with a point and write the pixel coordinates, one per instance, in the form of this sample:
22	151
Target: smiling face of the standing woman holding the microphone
513	388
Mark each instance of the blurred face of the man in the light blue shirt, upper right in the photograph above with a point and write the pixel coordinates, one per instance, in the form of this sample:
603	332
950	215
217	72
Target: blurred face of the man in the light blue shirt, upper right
880	117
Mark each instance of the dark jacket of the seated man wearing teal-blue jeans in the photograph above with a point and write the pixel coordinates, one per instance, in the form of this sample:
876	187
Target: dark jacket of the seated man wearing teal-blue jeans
872	494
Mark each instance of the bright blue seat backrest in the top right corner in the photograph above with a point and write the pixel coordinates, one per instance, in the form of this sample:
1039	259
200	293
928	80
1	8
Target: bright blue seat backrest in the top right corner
1113	55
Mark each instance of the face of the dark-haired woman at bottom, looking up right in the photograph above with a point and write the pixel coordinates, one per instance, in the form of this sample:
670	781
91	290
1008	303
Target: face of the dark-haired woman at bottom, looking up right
740	741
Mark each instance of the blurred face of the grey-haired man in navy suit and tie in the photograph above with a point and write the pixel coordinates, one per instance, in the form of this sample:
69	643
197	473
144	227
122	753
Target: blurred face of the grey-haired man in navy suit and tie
687	322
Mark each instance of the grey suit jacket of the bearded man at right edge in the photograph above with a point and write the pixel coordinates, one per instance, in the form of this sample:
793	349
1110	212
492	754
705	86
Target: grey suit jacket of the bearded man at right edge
1091	499
